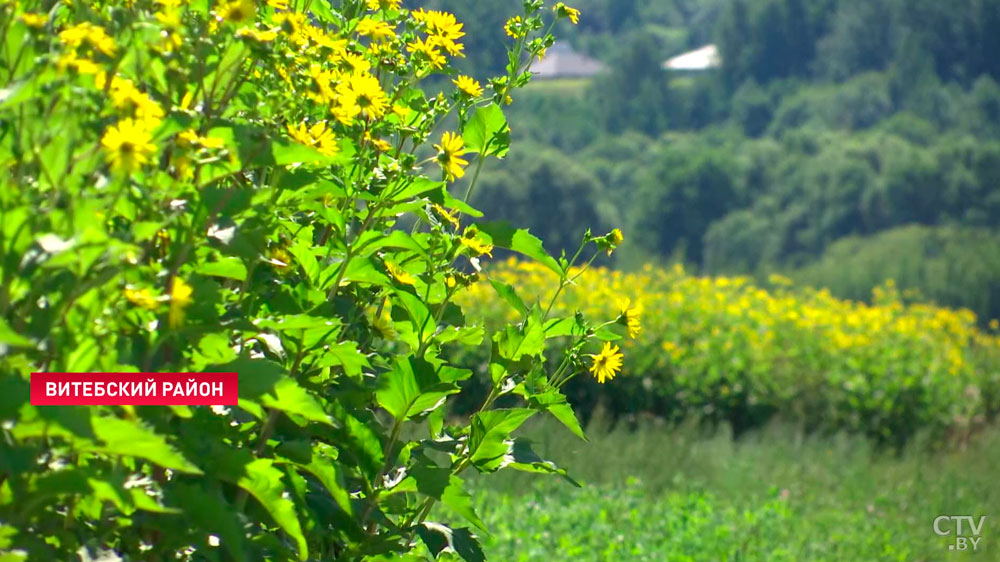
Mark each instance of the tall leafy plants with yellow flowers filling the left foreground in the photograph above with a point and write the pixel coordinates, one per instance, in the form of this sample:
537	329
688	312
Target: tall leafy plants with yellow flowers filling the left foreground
219	187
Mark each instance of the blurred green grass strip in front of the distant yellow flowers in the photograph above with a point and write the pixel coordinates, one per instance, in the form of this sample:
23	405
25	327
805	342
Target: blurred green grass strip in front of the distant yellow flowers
677	495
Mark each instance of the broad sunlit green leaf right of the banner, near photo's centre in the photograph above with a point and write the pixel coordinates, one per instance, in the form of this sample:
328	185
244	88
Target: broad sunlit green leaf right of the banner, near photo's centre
412	387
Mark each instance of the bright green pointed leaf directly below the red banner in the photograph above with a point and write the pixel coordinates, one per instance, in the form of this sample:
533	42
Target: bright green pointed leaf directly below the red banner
130	439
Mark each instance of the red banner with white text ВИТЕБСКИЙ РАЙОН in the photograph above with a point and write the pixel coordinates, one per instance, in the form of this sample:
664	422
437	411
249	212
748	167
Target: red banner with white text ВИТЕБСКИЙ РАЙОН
134	389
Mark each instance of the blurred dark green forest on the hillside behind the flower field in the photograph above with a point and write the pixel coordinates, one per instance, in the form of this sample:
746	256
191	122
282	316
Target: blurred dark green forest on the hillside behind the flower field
841	142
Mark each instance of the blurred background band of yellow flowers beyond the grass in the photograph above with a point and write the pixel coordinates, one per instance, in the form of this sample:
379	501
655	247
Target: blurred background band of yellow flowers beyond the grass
728	349
